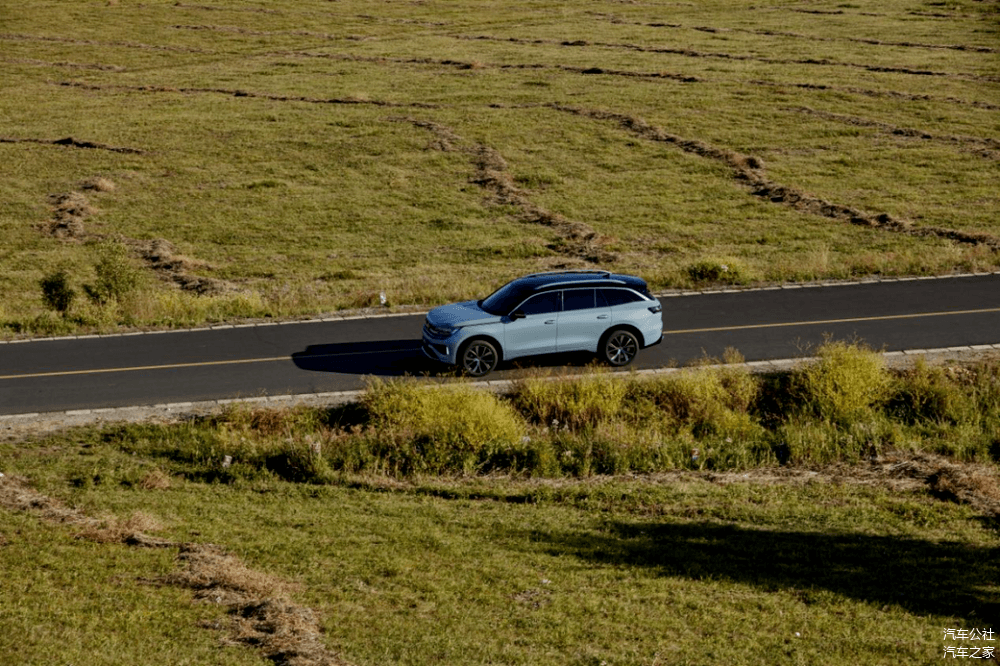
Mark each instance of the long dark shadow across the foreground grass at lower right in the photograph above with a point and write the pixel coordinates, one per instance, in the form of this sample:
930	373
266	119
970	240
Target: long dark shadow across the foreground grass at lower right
921	576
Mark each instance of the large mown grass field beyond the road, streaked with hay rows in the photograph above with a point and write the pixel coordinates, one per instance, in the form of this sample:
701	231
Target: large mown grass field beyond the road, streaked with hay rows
274	160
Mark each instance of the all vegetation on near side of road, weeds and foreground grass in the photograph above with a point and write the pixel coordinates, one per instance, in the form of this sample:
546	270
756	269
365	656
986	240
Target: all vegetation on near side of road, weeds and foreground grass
840	513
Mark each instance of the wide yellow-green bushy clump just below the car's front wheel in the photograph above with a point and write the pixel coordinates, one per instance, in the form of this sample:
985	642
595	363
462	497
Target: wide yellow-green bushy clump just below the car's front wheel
442	429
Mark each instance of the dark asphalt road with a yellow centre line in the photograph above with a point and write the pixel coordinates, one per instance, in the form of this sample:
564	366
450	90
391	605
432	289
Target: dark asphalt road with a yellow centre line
314	357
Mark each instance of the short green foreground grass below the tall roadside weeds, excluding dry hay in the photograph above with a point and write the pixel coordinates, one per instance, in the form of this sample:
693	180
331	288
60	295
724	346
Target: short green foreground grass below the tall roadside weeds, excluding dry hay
678	571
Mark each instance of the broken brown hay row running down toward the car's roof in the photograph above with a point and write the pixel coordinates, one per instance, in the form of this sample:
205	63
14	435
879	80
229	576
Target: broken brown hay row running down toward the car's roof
576	239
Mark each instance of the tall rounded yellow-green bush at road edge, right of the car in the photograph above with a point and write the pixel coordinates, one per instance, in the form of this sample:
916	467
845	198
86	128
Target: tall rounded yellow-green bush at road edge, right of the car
843	384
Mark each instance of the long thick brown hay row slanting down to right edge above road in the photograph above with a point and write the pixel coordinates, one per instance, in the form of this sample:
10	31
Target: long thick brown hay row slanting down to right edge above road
750	170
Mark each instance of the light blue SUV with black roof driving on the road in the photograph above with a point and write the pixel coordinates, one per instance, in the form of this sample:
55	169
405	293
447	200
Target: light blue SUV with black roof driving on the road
611	315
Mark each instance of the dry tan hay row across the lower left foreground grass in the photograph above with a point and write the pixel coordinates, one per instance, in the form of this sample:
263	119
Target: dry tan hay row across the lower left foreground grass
261	615
